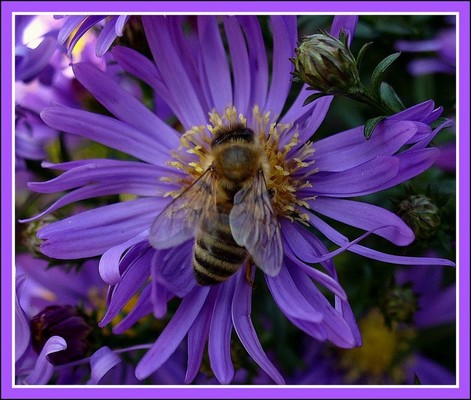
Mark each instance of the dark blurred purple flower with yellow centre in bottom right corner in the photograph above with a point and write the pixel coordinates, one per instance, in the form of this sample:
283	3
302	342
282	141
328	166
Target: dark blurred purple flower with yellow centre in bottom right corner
387	356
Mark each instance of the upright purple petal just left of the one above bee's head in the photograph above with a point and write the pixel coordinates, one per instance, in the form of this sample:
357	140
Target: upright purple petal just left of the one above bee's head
215	62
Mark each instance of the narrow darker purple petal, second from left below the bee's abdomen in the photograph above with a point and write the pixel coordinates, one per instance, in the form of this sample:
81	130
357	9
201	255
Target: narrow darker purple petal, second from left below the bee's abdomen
198	335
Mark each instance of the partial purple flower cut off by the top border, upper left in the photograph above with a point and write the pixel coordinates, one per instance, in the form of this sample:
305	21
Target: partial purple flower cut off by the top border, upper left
76	26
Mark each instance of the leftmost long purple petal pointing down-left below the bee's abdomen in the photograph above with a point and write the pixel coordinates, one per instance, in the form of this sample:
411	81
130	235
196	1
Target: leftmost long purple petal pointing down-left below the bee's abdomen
173	333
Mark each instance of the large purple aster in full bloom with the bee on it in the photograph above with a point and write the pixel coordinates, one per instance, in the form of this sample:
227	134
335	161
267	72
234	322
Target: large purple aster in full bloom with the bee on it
304	180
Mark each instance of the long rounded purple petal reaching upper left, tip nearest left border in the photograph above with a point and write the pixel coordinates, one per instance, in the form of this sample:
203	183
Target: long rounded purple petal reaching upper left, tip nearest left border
108	131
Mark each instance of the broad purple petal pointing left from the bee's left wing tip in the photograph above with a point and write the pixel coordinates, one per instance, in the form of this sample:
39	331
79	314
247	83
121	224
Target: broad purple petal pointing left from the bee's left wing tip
76	236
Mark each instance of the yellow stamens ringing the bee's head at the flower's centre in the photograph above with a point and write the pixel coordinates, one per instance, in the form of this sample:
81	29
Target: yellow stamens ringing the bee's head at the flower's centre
286	164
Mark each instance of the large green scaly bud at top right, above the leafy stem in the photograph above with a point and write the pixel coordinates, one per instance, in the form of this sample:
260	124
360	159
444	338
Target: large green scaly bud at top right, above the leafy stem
326	64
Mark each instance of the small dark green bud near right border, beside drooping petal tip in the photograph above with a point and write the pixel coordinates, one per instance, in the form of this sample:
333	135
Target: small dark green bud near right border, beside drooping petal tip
420	214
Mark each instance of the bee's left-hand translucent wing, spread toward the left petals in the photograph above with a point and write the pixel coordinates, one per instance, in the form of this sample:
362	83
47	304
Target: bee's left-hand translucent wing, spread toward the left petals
180	219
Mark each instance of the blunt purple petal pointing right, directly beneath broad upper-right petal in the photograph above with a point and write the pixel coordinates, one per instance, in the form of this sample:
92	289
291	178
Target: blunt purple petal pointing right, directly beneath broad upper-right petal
356	181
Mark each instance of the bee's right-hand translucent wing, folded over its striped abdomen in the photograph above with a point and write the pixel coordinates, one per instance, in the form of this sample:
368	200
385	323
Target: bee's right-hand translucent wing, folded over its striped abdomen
254	225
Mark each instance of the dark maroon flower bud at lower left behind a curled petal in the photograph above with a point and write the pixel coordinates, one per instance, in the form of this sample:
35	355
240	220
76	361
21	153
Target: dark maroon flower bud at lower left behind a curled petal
67	322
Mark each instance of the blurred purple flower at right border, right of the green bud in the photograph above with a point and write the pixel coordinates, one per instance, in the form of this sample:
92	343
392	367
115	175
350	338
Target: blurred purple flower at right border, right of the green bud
443	45
